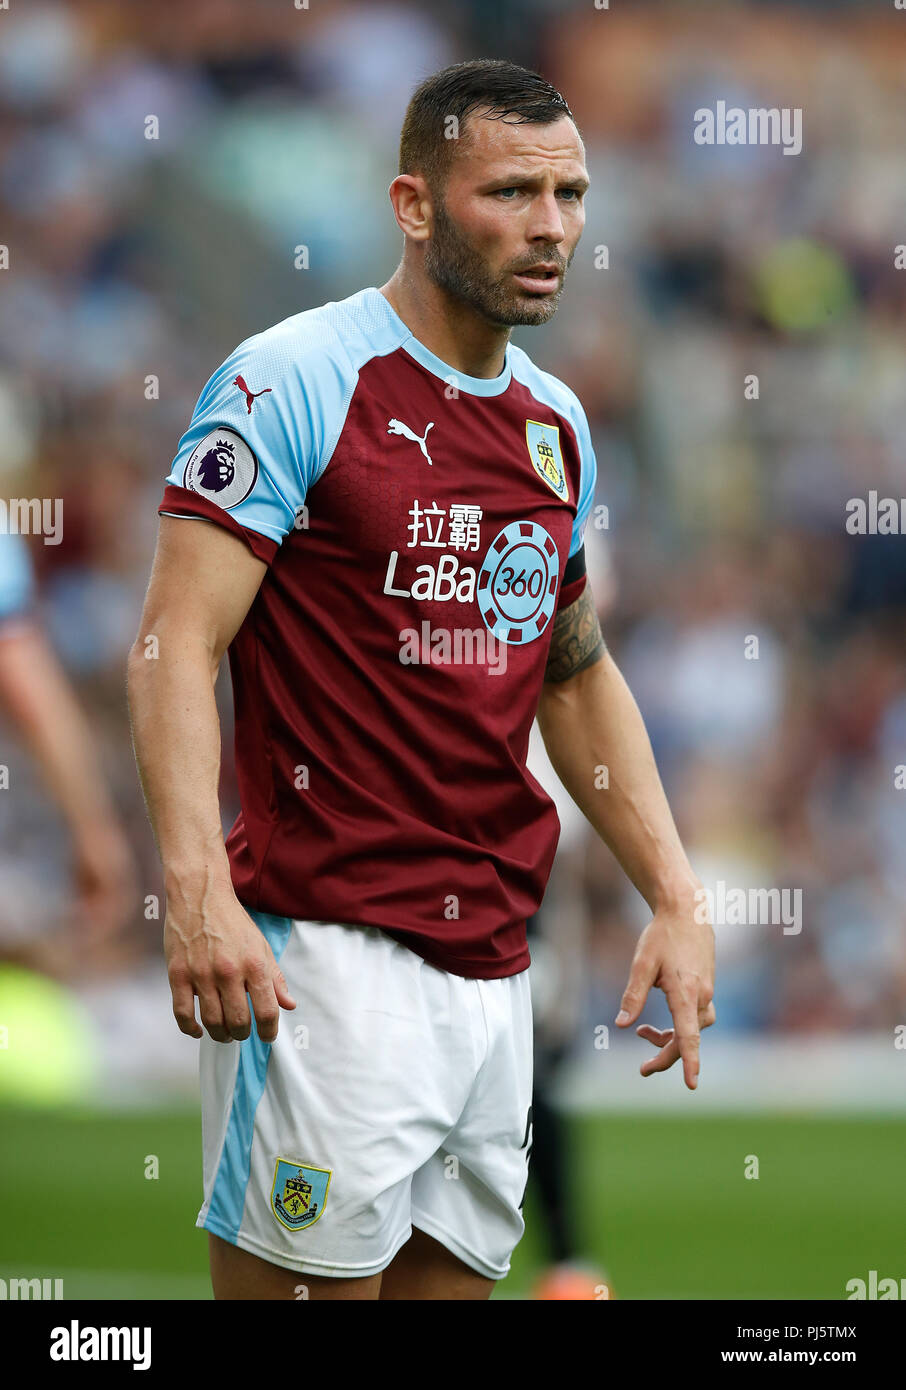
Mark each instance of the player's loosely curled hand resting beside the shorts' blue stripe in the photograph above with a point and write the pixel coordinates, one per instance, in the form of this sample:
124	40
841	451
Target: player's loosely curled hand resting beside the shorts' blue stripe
216	950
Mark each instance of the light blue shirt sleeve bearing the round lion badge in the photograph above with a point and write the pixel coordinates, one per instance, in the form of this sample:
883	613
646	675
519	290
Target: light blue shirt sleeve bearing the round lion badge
265	427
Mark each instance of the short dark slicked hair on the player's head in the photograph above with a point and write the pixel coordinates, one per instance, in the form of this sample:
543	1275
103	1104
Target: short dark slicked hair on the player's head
491	88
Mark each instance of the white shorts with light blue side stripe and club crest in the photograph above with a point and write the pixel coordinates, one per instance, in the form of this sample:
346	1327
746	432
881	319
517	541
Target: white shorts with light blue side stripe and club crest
395	1096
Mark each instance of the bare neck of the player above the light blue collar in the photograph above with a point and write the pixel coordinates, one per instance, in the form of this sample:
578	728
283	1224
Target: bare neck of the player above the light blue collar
448	327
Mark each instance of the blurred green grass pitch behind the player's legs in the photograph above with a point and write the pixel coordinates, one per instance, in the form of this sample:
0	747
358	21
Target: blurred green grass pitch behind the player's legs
662	1203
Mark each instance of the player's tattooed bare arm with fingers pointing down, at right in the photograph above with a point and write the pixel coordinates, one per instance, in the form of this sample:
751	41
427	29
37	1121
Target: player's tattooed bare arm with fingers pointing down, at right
598	744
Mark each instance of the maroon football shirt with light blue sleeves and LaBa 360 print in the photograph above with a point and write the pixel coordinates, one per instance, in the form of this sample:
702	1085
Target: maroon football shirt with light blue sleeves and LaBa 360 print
420	529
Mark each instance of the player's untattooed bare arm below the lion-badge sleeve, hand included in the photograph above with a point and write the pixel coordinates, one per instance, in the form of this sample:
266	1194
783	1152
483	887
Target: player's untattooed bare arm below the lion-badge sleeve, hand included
204	583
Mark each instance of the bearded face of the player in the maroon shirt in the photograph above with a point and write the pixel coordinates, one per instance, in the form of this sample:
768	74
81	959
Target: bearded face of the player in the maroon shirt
511	219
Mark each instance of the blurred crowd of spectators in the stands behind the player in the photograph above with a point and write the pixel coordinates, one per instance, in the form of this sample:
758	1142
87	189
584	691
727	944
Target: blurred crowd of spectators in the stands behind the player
734	325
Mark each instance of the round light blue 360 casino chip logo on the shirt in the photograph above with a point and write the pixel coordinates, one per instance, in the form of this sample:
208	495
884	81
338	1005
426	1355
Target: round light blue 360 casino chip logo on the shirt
518	586
